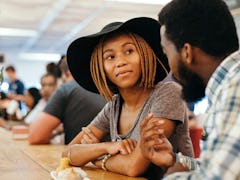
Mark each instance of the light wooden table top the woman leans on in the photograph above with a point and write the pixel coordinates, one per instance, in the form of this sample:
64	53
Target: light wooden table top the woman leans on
19	160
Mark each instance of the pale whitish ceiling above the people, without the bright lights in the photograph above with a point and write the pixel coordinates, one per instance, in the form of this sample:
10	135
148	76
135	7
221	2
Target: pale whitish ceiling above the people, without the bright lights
53	24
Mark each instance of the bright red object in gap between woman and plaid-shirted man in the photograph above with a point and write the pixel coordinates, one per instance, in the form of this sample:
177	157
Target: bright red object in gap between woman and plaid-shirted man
196	136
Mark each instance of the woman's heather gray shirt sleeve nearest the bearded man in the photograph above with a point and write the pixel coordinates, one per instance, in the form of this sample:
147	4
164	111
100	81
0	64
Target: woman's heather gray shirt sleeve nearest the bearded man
168	102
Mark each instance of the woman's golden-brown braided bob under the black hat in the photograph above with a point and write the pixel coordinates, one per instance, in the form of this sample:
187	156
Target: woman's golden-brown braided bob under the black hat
148	66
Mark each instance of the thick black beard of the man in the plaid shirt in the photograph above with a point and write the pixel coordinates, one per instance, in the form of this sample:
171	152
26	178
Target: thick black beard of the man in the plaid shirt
193	86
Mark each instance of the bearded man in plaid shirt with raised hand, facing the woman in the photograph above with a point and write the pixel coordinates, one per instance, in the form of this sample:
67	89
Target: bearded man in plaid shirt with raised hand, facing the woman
200	40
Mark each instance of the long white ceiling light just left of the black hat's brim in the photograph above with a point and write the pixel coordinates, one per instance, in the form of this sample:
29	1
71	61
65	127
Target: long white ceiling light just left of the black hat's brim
40	56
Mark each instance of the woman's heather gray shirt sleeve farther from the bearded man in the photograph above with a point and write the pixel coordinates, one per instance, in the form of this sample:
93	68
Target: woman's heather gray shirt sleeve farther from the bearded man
102	120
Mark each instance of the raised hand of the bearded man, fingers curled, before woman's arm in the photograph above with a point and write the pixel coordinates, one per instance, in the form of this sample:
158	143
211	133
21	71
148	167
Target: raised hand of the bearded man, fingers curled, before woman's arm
153	143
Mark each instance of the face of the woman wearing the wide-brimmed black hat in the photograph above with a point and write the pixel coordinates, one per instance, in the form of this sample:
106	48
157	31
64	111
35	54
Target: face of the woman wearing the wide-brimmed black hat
121	61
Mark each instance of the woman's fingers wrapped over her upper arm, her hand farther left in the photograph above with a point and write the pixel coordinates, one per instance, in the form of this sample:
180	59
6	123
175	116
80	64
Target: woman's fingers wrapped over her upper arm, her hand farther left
88	136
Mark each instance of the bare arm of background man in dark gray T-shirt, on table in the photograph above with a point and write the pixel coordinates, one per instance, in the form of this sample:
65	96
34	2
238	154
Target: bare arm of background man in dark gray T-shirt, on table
40	131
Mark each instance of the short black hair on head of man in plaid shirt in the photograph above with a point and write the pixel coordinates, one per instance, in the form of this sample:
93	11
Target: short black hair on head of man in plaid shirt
206	24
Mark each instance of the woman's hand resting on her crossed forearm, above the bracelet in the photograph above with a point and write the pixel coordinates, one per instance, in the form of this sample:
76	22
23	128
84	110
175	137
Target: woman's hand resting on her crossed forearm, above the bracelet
125	146
